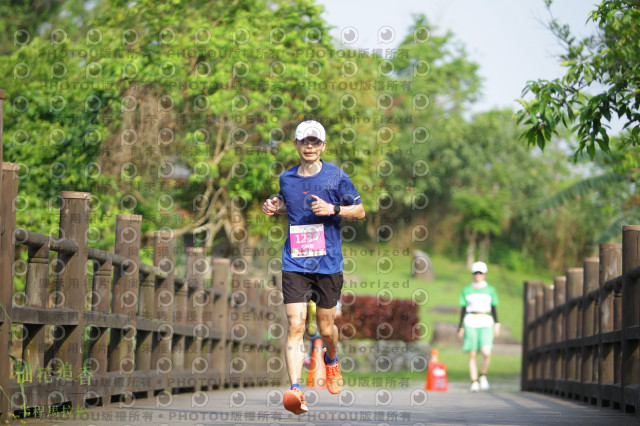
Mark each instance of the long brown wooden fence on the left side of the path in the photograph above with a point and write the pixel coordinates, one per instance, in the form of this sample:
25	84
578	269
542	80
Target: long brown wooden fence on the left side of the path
114	329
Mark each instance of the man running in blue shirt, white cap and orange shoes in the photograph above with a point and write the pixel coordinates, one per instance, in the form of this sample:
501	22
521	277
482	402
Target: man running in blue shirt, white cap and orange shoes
315	195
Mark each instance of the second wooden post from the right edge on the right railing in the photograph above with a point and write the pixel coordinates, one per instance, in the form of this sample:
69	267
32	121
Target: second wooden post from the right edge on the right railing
610	267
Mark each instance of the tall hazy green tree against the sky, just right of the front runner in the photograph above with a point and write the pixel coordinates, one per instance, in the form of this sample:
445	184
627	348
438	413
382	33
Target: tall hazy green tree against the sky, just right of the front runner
424	167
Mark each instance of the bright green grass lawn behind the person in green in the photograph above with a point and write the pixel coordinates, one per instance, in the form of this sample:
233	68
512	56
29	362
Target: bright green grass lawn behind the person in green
387	271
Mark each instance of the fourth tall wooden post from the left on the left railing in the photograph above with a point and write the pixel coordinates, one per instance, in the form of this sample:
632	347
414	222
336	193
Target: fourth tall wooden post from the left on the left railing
164	252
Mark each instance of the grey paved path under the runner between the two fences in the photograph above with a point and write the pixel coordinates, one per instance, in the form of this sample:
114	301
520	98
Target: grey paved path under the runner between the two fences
357	406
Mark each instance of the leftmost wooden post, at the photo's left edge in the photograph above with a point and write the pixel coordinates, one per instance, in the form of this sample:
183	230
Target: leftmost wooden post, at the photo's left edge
8	192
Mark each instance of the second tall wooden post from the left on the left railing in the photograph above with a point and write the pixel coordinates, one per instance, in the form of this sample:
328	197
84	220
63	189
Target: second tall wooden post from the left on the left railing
71	283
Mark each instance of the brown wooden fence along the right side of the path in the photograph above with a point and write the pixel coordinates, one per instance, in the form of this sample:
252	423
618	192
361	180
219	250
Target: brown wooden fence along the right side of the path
581	337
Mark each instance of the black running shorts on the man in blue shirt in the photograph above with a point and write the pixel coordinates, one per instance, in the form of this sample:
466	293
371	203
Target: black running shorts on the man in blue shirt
323	289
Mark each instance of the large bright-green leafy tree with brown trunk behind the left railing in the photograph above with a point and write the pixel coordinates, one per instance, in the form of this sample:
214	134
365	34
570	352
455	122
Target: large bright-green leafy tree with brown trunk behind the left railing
181	112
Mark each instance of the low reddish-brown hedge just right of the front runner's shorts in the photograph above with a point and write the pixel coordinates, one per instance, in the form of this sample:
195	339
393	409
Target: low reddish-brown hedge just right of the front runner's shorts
371	317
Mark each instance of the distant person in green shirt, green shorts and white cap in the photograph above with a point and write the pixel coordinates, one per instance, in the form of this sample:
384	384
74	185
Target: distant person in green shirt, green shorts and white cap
478	324
